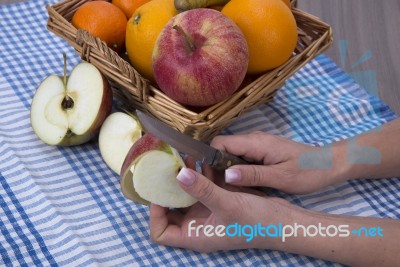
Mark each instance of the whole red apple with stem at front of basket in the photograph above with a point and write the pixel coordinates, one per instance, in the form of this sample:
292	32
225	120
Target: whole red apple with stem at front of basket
200	58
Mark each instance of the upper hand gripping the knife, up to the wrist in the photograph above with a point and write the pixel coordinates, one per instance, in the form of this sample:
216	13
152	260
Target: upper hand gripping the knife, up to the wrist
282	164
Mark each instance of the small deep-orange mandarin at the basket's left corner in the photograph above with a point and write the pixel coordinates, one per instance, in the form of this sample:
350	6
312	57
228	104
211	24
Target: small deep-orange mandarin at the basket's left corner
103	20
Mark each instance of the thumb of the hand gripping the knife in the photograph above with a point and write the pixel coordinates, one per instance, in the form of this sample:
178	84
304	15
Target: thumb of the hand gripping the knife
253	175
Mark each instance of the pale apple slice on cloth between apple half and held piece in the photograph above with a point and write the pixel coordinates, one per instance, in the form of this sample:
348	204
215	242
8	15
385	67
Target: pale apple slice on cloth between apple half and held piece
117	134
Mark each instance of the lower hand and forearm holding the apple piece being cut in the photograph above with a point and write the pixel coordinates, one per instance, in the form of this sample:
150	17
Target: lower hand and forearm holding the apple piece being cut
197	228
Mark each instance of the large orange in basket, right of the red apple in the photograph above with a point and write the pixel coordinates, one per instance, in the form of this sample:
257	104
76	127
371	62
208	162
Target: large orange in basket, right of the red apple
269	28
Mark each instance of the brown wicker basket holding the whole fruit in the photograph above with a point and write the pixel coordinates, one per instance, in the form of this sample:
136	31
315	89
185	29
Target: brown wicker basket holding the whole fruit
135	92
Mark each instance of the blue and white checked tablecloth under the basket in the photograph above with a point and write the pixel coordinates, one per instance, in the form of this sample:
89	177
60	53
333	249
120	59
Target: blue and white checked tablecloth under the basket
63	206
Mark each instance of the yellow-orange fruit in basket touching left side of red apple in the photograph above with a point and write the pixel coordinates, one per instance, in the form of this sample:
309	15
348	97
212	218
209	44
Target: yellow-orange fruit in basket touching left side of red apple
142	31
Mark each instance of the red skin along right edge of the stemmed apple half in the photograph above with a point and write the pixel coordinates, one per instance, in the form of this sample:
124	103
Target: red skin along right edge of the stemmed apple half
104	111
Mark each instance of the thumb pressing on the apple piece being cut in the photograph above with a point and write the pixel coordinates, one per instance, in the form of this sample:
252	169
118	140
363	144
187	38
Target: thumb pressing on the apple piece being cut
201	188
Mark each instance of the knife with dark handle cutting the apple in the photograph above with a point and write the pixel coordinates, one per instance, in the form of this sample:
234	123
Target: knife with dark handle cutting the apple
217	159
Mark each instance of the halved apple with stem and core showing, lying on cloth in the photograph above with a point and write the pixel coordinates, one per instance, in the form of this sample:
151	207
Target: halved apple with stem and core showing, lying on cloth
70	111
